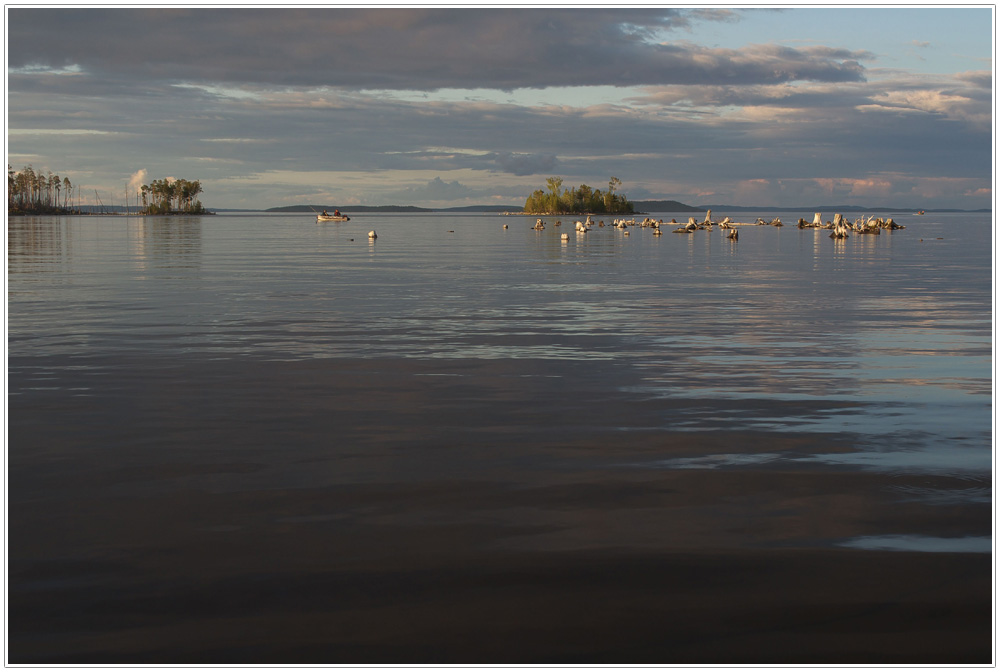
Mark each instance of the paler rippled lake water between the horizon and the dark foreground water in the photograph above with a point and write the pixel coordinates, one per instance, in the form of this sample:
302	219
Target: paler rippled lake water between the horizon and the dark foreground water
887	337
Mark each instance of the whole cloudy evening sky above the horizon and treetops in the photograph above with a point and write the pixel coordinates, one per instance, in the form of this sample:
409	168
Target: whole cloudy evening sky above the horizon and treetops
448	107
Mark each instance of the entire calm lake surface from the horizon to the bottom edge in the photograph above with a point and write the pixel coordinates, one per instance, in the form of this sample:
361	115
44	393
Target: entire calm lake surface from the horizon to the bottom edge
255	439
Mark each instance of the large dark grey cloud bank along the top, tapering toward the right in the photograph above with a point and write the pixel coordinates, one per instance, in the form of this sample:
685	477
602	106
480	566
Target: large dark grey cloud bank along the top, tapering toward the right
417	49
